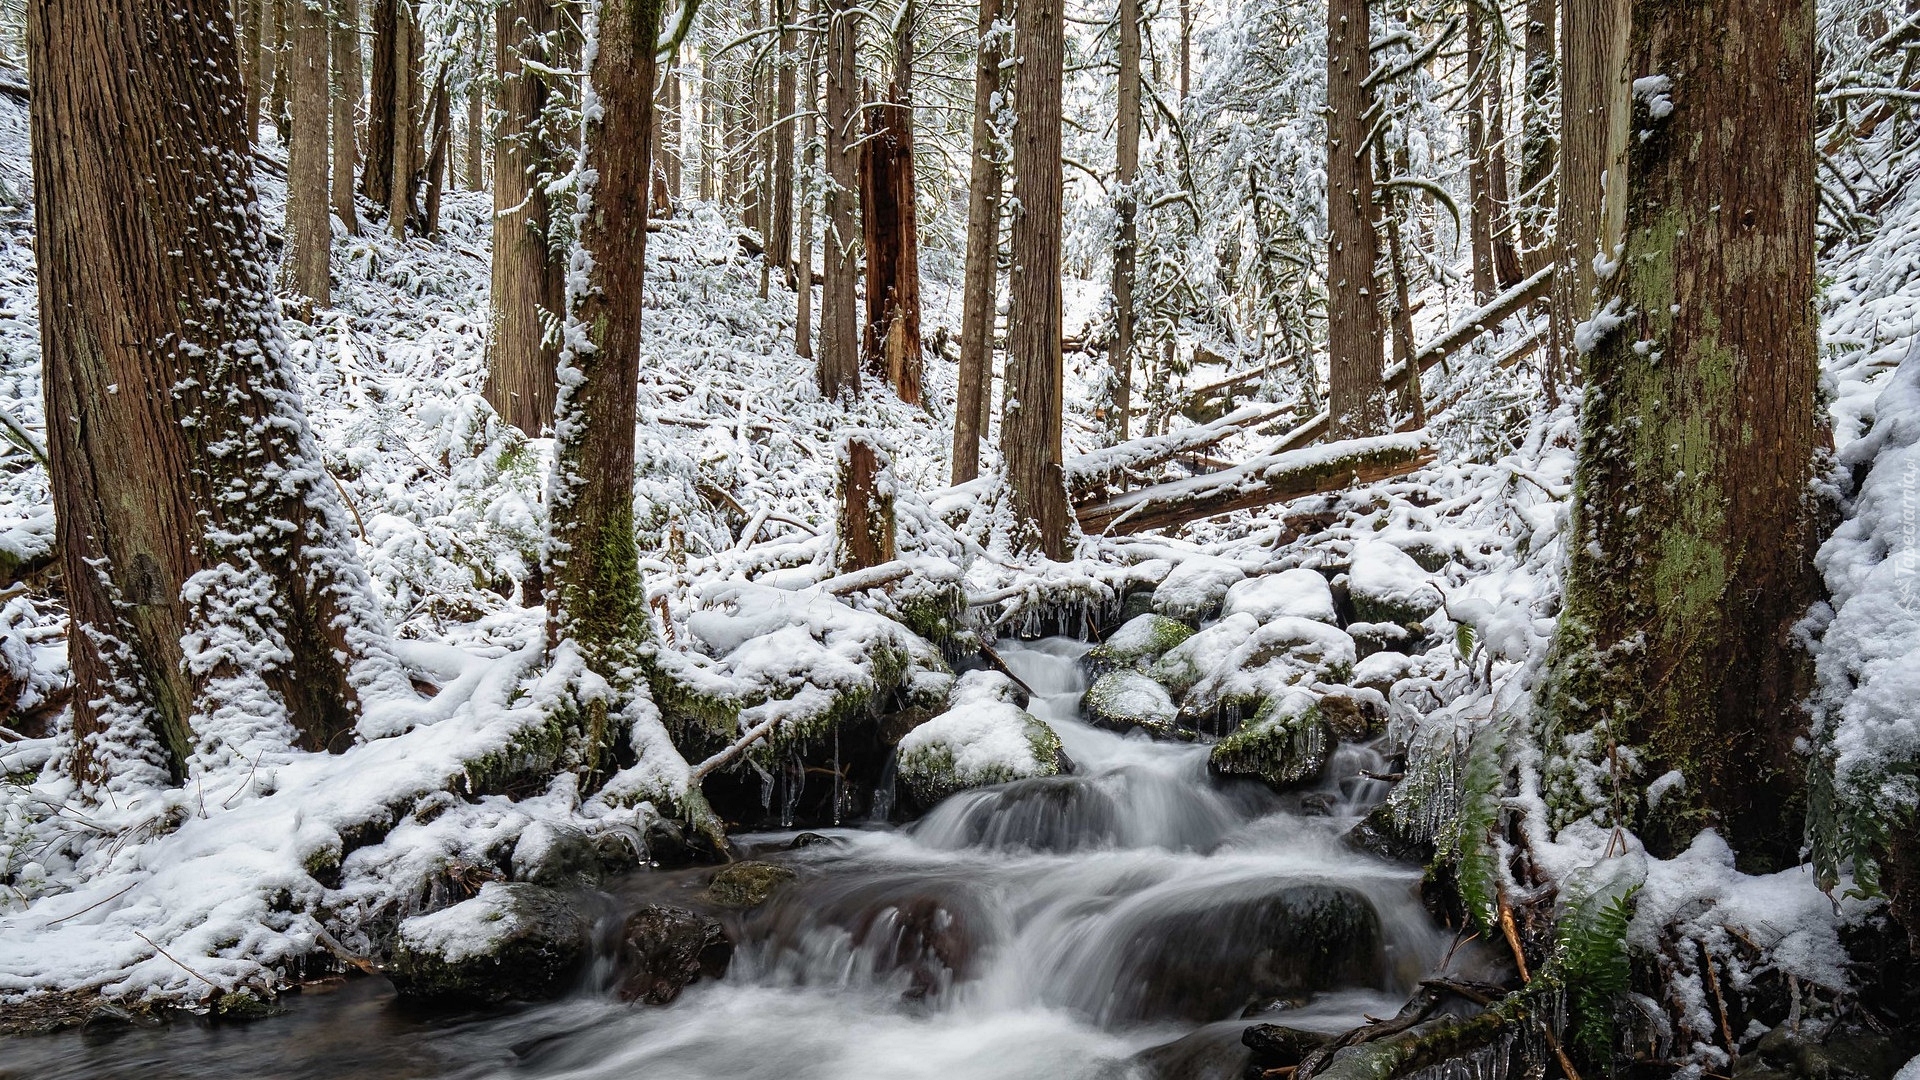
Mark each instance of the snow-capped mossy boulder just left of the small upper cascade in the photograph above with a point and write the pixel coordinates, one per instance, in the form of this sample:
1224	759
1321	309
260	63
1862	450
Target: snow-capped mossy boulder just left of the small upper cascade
982	739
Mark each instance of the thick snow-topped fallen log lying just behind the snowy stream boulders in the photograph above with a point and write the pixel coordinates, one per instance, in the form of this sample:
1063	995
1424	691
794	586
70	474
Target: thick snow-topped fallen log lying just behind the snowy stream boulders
1259	483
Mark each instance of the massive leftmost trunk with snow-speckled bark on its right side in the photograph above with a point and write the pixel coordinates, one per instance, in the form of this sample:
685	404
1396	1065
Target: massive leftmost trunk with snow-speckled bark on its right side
220	610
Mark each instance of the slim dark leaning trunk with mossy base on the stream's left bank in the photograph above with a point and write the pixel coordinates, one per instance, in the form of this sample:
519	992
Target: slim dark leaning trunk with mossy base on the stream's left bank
596	595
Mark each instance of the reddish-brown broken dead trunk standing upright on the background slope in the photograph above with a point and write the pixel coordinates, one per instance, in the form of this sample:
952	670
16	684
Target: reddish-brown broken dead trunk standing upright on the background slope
894	230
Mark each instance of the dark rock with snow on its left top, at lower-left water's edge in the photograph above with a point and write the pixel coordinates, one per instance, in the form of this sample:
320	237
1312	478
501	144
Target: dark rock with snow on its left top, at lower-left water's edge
510	943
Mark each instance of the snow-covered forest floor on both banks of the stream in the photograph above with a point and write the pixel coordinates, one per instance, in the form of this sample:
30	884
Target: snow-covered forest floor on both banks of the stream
1445	585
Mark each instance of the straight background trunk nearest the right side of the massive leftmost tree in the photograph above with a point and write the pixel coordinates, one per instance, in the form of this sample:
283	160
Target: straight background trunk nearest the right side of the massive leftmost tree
308	232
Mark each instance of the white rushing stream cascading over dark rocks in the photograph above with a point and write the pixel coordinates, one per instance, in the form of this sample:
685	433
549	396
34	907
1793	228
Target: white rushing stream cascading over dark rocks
1113	923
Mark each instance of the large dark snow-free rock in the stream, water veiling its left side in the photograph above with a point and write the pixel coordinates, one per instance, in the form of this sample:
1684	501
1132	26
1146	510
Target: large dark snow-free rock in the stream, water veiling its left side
1212	960
